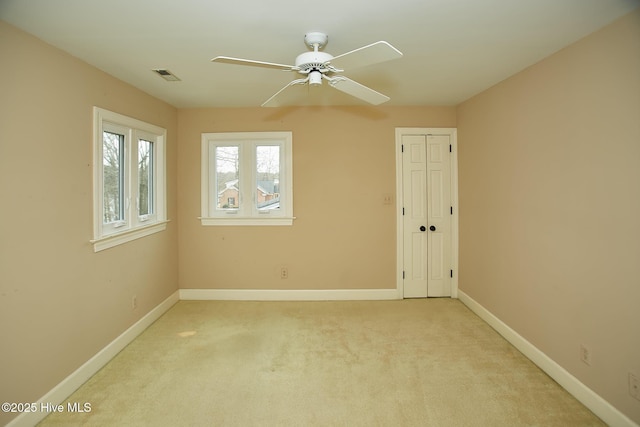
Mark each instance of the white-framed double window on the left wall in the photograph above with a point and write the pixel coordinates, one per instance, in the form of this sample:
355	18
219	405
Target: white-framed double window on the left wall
129	179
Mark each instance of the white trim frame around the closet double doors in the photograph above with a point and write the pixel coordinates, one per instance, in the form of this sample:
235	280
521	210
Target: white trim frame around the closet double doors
453	133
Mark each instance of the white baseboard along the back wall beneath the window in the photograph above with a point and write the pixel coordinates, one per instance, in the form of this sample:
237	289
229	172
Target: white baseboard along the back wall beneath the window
288	295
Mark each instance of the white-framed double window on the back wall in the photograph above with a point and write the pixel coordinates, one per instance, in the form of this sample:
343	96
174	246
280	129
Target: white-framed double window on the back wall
247	178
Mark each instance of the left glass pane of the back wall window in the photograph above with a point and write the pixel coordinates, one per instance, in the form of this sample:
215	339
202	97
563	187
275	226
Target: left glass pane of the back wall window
228	177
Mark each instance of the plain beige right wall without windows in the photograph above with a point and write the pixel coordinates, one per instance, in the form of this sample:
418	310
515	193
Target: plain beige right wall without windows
549	177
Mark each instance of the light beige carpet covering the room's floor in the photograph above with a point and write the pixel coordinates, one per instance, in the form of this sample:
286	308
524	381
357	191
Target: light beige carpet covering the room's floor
428	362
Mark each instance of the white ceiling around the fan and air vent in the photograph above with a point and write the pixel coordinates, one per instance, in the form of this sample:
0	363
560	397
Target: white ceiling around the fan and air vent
453	49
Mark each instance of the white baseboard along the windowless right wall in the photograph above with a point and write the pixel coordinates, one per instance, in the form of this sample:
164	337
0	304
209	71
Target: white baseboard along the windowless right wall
603	409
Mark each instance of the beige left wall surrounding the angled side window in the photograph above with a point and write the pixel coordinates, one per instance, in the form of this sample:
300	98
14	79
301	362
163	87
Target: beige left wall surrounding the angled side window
60	303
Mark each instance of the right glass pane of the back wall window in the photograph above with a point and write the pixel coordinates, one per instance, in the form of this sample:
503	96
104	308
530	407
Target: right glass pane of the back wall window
268	177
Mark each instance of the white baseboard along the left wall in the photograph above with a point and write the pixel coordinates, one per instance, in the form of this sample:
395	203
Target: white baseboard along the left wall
64	389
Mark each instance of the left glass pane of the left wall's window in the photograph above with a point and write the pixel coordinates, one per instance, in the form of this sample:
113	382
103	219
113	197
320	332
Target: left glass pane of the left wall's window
113	177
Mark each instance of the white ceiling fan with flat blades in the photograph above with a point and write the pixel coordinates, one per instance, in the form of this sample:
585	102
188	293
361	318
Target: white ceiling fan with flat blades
318	66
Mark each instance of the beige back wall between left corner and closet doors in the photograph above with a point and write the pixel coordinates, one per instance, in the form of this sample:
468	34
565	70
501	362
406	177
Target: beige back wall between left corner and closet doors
343	164
